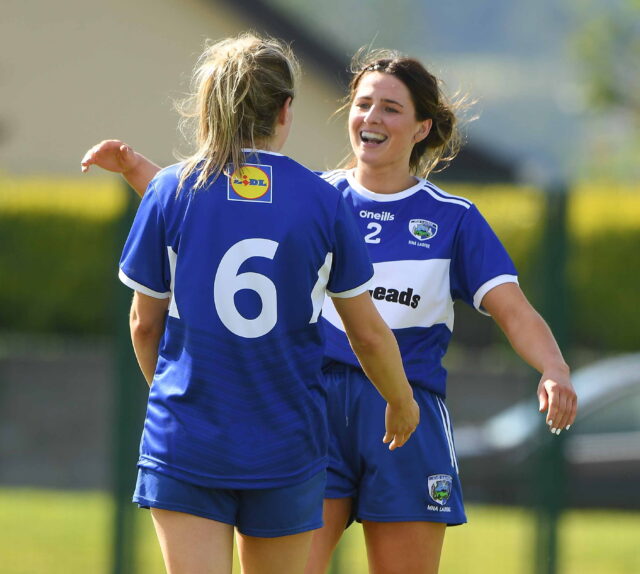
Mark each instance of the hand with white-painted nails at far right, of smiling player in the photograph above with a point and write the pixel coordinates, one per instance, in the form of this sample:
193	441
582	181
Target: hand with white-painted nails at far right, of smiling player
557	396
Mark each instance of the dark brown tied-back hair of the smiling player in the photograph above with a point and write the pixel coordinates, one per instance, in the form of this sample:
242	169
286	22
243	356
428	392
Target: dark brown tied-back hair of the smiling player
433	153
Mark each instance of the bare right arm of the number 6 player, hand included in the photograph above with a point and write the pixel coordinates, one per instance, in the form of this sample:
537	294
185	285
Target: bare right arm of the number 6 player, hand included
377	350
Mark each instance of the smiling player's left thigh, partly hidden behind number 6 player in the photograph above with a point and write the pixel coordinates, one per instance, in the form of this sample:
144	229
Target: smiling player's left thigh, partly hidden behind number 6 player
336	516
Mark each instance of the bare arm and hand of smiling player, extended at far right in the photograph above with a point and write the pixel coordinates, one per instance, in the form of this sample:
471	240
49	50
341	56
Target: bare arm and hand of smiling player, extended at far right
532	339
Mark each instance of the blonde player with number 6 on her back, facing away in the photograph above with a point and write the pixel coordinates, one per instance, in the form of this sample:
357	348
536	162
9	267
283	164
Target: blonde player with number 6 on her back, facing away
230	256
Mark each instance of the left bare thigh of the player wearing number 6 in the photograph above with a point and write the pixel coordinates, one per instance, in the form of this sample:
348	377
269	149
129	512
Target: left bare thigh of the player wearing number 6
192	544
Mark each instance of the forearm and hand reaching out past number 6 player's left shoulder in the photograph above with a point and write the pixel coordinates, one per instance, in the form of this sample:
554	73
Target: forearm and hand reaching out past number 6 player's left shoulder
116	156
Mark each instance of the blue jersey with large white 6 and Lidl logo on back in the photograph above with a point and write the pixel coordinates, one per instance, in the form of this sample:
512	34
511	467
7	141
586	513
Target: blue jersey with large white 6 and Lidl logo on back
237	399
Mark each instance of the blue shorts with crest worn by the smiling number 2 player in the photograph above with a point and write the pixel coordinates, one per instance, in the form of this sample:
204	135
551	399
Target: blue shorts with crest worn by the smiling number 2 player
417	482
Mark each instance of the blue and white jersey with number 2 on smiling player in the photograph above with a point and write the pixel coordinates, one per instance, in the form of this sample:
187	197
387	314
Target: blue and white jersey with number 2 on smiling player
428	249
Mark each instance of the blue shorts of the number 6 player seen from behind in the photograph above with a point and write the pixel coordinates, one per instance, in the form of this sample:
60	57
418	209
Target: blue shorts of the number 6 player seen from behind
265	513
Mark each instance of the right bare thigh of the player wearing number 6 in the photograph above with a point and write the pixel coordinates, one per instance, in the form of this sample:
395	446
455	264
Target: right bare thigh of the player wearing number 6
274	555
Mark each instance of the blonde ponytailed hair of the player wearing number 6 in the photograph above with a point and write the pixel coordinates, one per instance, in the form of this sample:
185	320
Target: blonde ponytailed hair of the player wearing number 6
239	86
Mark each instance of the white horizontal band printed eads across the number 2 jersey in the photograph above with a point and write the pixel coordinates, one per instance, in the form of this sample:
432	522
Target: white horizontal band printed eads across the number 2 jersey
427	279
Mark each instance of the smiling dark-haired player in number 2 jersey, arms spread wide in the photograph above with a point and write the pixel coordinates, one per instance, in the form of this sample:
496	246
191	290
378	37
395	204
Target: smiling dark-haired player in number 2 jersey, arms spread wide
429	249
